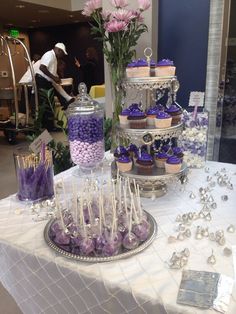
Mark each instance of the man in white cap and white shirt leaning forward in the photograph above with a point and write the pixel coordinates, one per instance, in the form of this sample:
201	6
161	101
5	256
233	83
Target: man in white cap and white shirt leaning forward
47	78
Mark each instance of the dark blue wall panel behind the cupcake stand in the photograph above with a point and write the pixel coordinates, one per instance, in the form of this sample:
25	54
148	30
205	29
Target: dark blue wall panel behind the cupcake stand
183	37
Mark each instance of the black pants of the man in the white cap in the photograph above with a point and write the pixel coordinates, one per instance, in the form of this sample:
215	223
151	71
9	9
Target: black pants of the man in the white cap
47	116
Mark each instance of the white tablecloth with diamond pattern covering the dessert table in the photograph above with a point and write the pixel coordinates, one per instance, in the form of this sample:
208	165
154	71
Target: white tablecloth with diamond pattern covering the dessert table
41	281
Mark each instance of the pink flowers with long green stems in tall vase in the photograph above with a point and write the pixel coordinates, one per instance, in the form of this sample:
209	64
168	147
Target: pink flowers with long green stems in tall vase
119	31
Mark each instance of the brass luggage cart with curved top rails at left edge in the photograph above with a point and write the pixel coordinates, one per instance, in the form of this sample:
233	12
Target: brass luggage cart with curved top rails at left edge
11	94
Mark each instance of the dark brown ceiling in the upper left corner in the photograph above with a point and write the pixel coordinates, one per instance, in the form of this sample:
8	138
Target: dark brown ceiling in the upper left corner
34	15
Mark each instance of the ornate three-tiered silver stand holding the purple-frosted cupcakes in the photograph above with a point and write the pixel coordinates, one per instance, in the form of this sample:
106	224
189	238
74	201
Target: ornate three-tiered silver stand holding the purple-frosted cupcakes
154	185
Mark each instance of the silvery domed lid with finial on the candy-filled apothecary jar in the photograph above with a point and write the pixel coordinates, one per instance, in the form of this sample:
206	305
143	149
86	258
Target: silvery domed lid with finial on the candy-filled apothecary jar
83	103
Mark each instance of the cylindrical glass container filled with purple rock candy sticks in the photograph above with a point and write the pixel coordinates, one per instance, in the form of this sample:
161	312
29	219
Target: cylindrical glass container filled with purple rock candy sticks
34	174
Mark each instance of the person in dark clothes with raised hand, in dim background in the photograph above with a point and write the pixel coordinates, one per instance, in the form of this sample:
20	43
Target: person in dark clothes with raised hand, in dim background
90	68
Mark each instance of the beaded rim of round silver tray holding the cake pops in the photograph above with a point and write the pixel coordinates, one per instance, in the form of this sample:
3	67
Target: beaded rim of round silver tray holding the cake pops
98	259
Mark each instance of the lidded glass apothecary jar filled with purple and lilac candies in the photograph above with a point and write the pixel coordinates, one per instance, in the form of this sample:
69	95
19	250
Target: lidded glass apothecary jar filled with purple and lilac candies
85	130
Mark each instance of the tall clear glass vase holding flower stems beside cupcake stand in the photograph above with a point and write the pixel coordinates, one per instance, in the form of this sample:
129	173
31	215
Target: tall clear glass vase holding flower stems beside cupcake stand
117	93
